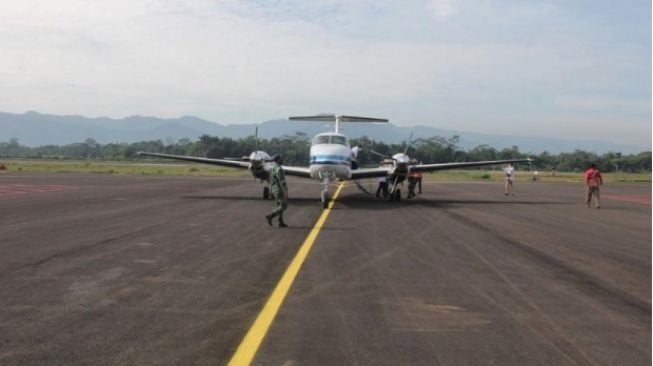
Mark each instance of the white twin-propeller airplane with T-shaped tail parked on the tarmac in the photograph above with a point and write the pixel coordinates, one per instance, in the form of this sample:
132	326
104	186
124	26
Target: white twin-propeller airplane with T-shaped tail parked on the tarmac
331	160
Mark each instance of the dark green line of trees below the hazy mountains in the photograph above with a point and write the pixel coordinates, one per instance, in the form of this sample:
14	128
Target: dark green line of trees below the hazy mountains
295	150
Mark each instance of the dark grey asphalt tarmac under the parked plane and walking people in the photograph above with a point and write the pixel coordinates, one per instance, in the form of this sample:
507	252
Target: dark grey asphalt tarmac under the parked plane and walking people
131	270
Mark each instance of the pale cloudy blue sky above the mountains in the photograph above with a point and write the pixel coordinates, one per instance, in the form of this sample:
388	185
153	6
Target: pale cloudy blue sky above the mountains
557	68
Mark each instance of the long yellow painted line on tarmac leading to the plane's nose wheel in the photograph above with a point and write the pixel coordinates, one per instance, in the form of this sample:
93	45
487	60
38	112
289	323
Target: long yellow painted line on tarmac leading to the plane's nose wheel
254	337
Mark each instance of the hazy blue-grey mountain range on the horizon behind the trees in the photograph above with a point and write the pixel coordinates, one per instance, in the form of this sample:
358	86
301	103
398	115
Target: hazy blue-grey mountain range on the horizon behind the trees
36	129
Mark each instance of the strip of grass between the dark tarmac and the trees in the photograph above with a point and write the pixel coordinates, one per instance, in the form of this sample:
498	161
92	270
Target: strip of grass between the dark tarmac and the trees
190	169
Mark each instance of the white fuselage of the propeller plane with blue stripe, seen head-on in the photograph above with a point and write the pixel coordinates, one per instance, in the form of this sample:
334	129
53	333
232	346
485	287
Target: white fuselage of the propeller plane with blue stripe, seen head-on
330	157
